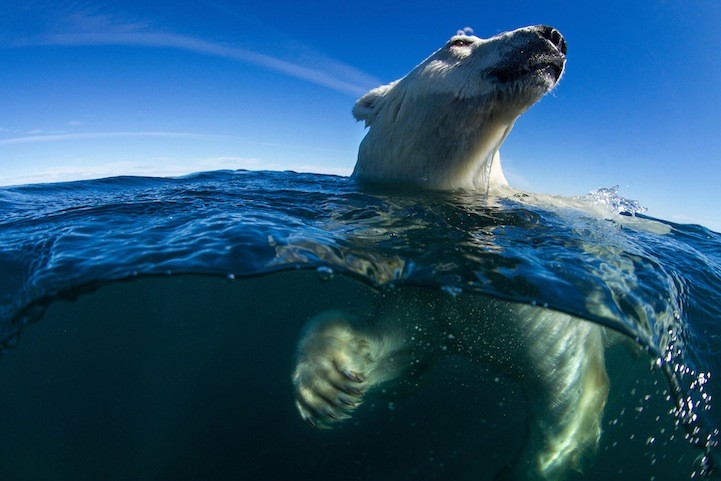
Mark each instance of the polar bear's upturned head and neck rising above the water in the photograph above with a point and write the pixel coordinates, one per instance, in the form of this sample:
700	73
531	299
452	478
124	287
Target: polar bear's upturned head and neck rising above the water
441	125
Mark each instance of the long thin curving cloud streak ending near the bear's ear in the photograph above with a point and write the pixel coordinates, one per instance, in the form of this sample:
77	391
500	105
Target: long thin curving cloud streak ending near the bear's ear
98	29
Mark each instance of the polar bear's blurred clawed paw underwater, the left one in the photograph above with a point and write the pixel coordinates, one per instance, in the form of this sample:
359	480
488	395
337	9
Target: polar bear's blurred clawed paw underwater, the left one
334	368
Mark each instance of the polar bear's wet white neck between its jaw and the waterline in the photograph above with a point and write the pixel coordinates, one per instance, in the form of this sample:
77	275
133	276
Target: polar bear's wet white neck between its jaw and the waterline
435	144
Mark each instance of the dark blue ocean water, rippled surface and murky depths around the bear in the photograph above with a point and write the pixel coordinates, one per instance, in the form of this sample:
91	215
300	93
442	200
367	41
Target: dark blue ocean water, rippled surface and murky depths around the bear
148	327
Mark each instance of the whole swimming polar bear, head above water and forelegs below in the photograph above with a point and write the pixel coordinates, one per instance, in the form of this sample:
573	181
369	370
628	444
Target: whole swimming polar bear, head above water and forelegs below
440	127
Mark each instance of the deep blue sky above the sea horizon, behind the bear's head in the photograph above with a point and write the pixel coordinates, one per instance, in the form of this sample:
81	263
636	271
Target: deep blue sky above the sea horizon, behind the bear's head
95	89
